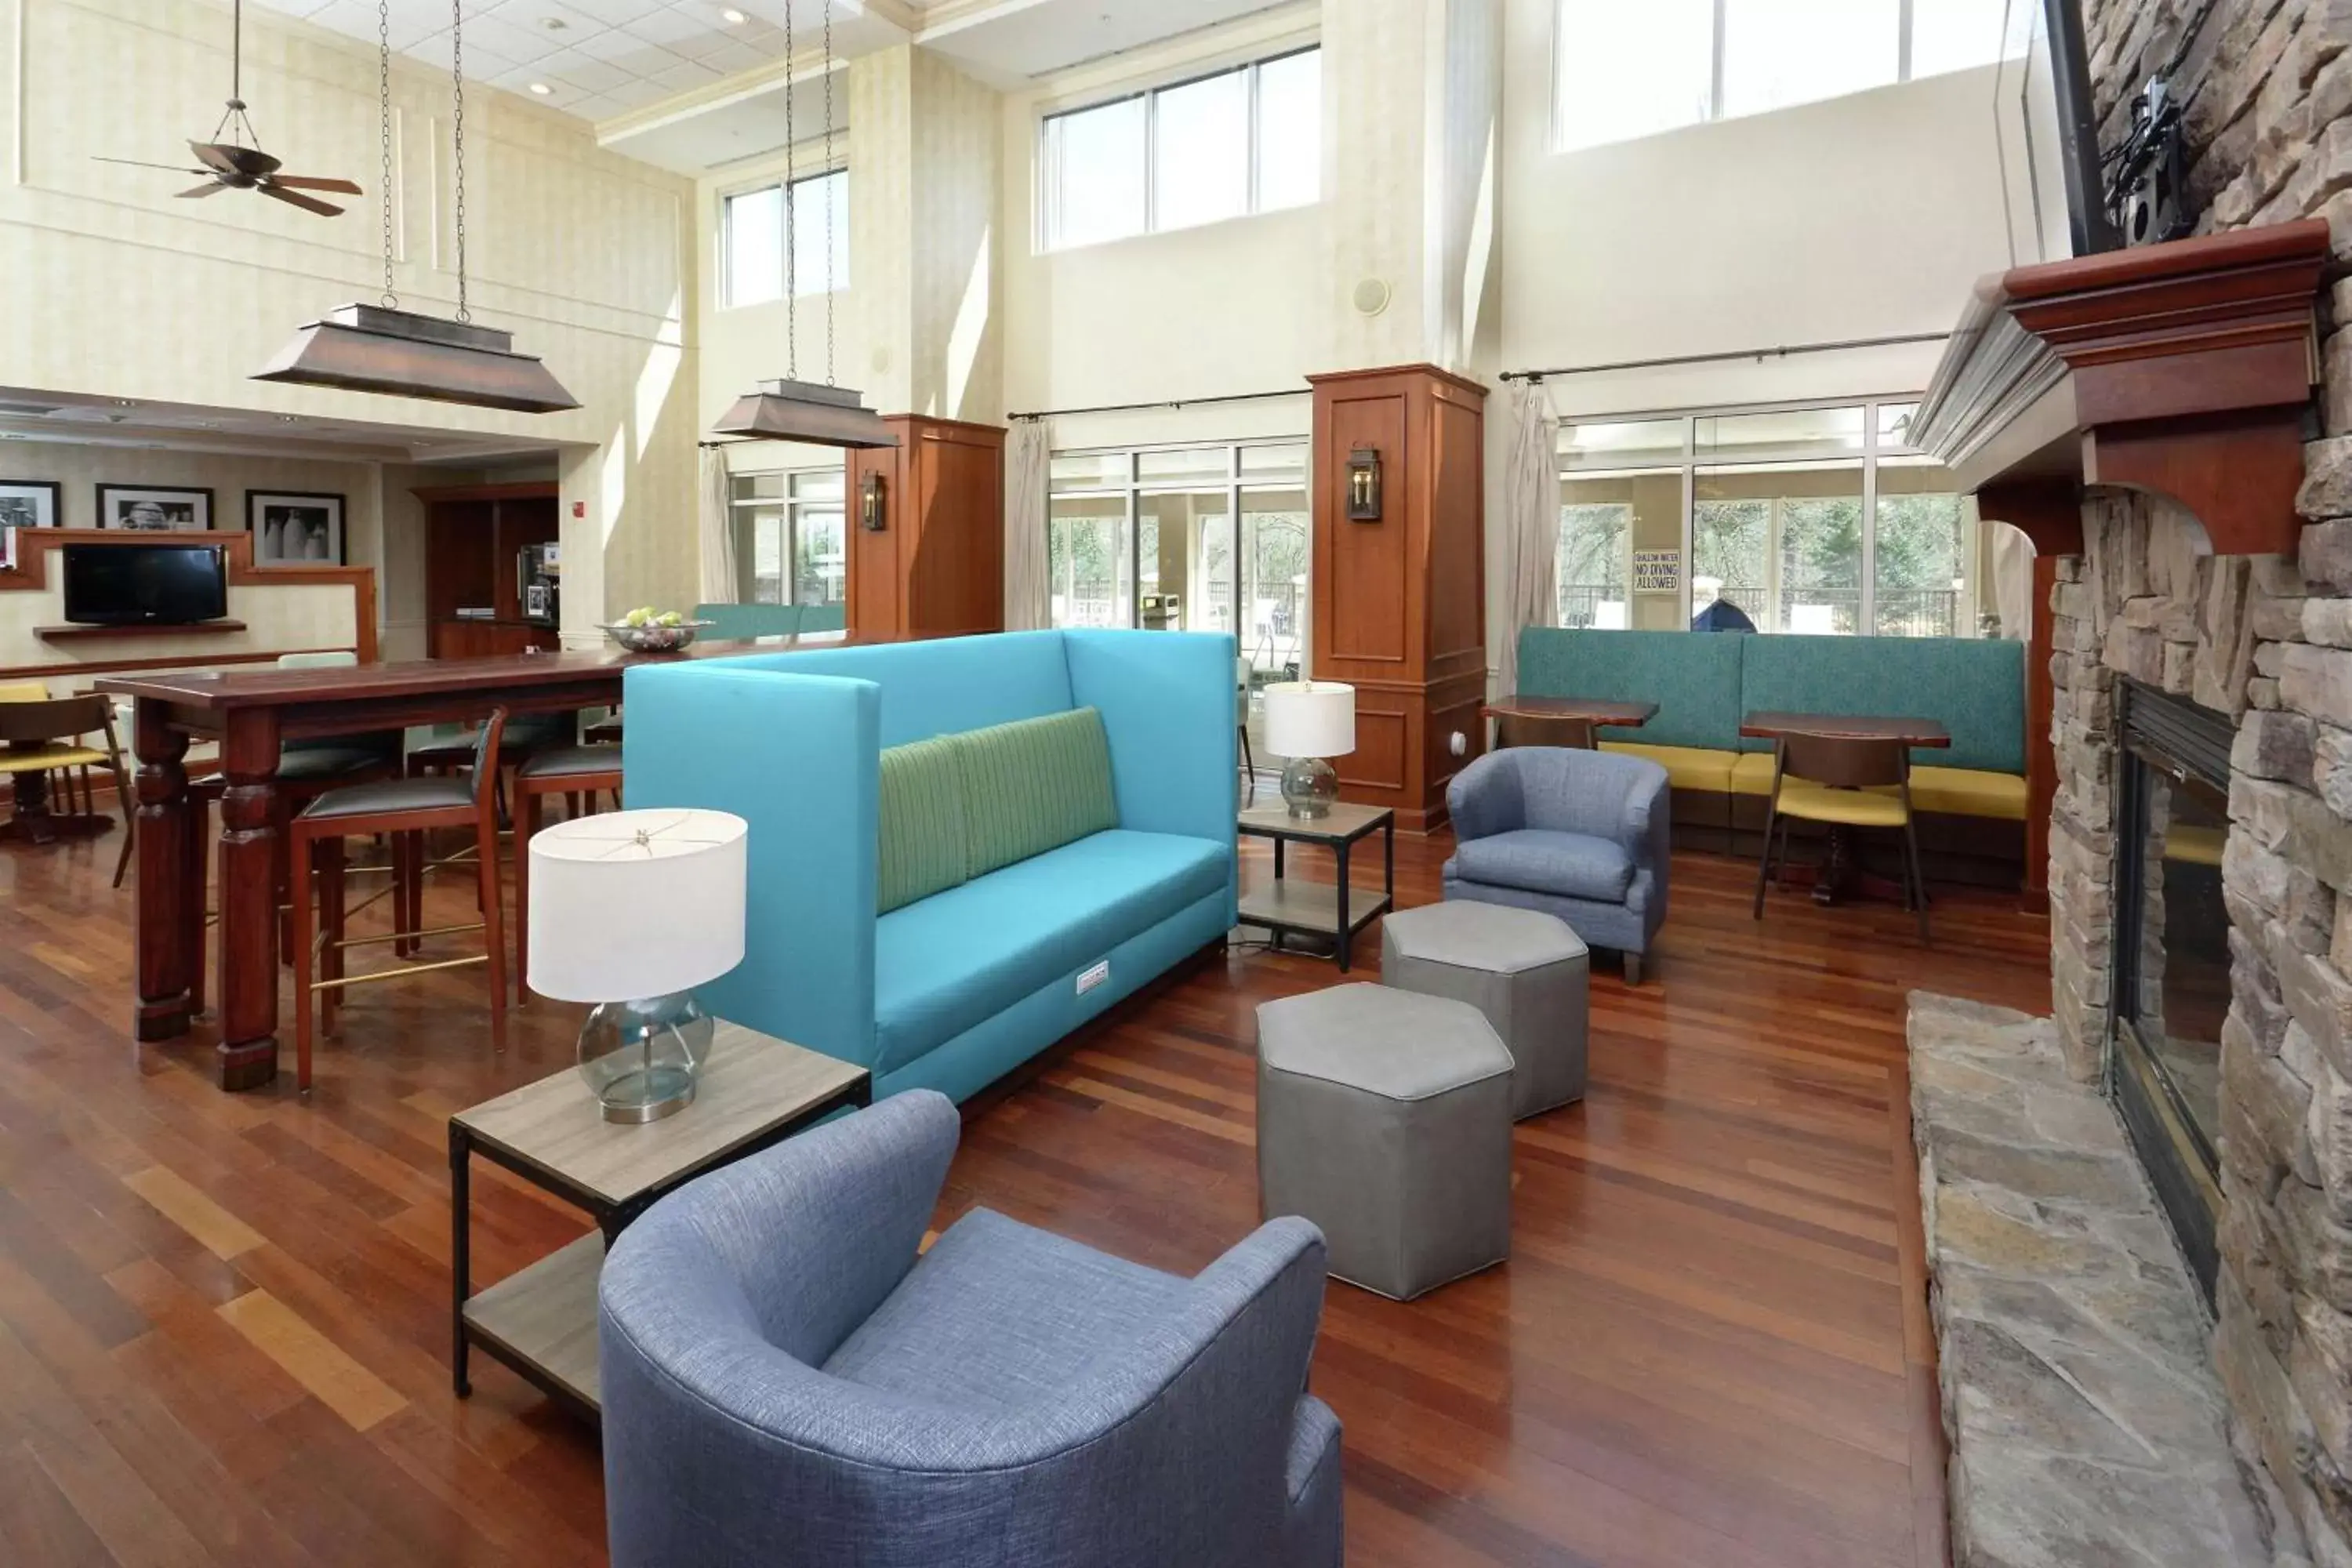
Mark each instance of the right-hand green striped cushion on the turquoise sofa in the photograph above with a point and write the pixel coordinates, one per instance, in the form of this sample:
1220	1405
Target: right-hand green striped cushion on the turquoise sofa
1034	786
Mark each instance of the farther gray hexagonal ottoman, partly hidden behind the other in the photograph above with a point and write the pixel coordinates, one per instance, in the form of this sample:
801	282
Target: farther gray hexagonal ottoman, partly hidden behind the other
1521	967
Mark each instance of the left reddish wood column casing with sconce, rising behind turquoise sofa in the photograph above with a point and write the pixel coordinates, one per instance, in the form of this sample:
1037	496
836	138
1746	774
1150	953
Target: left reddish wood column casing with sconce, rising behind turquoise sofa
937	568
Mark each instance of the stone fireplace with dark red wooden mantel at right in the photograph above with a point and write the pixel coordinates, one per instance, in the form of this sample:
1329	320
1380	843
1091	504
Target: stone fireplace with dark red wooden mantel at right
2174	431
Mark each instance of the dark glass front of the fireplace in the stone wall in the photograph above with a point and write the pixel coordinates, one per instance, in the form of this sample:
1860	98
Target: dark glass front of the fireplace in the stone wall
2172	953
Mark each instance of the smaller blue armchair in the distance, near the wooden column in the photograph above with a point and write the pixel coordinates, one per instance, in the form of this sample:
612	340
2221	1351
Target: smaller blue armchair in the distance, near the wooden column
1582	836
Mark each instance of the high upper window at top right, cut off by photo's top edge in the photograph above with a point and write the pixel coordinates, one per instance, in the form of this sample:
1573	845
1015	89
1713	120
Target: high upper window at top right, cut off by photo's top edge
1641	69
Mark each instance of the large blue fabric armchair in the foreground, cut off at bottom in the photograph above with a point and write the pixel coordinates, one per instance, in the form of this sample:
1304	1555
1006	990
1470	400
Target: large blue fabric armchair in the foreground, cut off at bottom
789	1383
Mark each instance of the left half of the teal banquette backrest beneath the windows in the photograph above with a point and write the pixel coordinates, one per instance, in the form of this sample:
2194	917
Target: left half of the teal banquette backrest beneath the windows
1690	676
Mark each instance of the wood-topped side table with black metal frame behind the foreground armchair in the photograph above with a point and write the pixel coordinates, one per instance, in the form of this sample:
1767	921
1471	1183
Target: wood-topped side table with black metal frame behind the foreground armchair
754	1092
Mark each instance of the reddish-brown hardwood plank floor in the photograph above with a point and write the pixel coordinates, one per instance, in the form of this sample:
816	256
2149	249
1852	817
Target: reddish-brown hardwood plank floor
225	1318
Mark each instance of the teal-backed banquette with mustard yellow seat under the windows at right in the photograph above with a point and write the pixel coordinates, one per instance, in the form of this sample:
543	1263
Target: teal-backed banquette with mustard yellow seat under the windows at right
1706	685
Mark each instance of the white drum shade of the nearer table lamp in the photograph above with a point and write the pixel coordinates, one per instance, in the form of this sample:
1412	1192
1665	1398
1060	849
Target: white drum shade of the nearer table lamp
636	904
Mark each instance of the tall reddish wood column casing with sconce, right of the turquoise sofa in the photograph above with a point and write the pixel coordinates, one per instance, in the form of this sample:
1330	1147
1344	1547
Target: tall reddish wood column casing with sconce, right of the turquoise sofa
1401	605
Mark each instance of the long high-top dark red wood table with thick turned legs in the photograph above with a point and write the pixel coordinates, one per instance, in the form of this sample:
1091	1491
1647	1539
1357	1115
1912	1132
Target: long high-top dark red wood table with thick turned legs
253	713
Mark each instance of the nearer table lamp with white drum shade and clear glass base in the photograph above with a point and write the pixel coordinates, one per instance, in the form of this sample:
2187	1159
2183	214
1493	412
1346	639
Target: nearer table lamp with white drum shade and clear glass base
632	911
